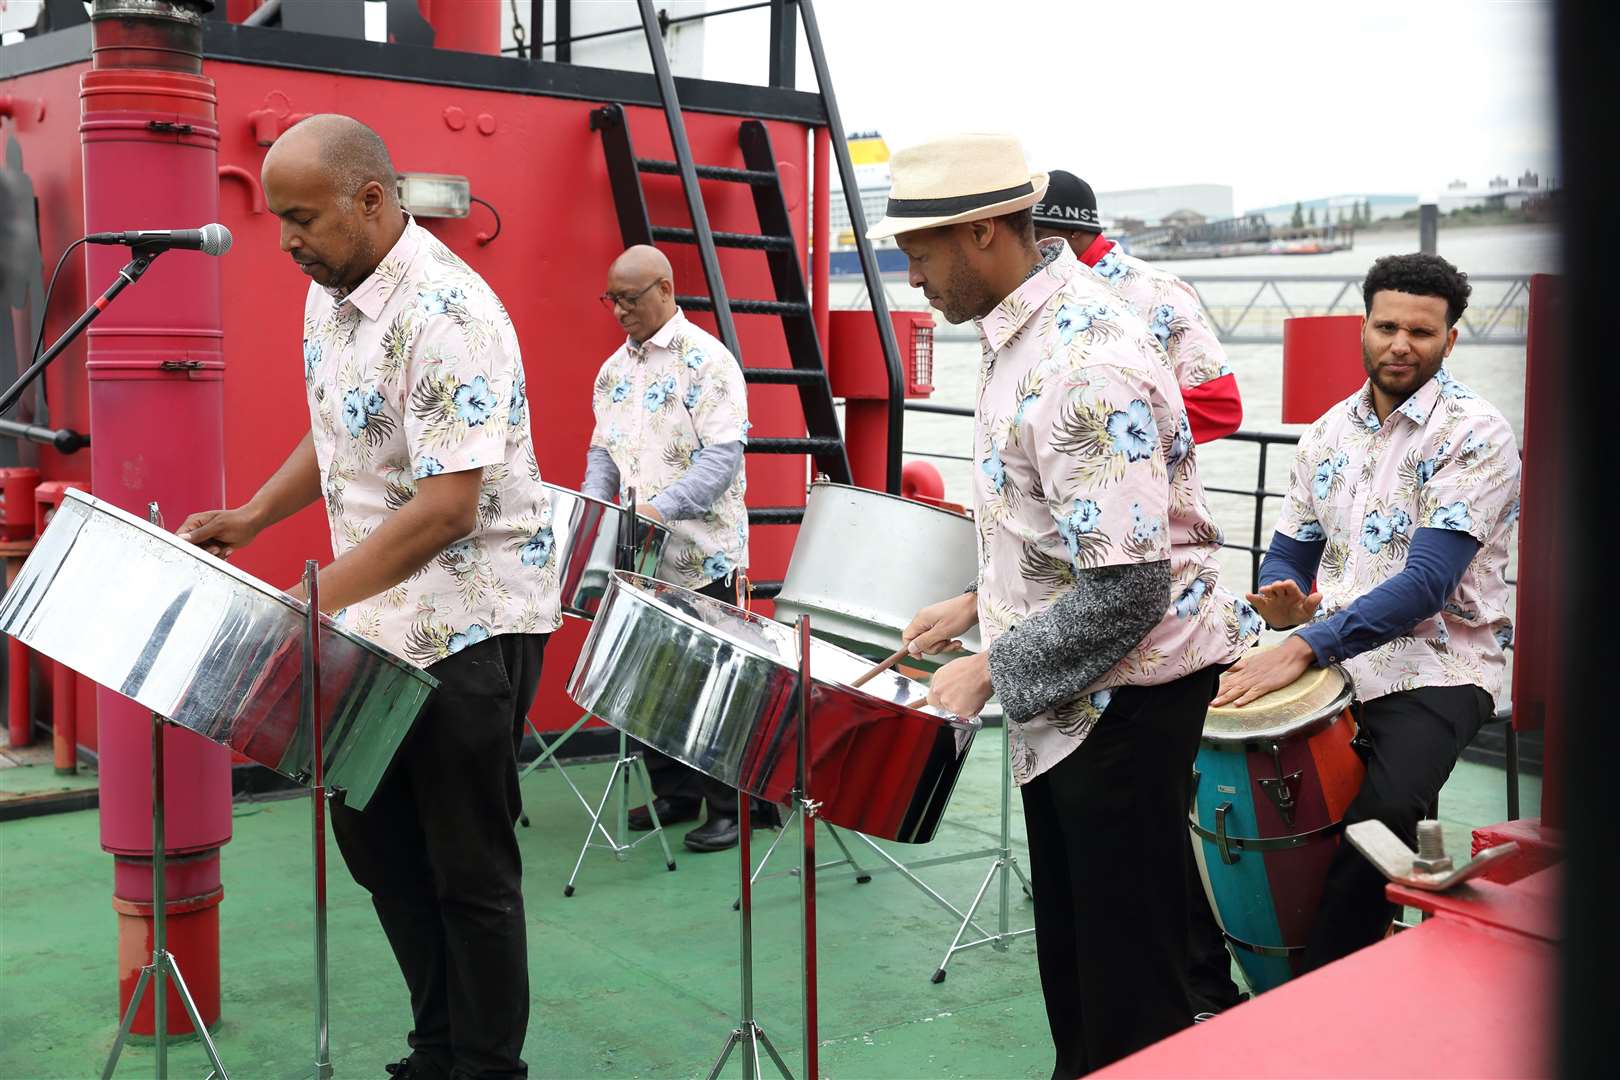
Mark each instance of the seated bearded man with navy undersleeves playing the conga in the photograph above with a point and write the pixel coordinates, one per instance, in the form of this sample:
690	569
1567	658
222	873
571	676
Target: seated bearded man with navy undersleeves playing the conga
1400	508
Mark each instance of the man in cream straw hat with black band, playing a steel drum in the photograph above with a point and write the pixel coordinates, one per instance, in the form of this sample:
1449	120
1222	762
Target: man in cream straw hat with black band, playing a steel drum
1099	592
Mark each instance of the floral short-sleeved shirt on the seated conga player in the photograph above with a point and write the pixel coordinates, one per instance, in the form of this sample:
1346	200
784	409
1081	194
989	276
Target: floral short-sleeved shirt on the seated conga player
1444	459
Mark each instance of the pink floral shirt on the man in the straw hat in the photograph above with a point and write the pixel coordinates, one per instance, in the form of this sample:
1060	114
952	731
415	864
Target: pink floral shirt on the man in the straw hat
1085	459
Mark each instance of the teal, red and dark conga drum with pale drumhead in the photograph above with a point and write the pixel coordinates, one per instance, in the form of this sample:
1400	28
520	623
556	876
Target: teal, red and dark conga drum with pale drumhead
1269	796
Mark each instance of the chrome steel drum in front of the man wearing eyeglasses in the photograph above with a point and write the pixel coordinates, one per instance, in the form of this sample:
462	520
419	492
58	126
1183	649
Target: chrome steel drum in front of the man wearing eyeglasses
587	537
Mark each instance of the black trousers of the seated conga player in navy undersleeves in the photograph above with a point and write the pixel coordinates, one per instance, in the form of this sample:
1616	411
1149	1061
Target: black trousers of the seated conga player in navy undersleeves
1410	742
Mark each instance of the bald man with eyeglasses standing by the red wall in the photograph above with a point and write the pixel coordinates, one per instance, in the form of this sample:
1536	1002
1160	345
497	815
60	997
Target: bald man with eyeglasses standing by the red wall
671	422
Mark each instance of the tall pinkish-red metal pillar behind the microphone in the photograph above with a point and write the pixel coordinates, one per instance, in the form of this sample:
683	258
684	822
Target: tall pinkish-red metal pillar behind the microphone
156	365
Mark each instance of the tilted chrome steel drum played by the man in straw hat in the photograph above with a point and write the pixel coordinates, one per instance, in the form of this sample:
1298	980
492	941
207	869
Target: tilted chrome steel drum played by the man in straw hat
717	687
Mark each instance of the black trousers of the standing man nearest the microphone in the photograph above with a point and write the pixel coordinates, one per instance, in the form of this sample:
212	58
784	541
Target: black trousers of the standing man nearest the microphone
438	854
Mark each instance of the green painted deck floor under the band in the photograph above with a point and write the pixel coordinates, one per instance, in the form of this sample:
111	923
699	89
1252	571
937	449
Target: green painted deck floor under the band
636	976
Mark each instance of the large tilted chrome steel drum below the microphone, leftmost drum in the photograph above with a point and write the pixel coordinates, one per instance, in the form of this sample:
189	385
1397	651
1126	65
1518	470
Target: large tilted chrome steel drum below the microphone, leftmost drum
208	647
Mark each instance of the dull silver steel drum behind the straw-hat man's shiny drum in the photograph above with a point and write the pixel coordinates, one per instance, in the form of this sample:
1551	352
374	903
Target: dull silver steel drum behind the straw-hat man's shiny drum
866	563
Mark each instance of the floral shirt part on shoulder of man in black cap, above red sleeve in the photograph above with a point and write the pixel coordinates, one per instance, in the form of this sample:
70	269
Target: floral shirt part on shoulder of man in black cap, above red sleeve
1169	307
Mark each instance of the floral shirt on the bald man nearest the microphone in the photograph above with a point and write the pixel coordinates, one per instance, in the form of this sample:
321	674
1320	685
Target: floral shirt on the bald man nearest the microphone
416	373
